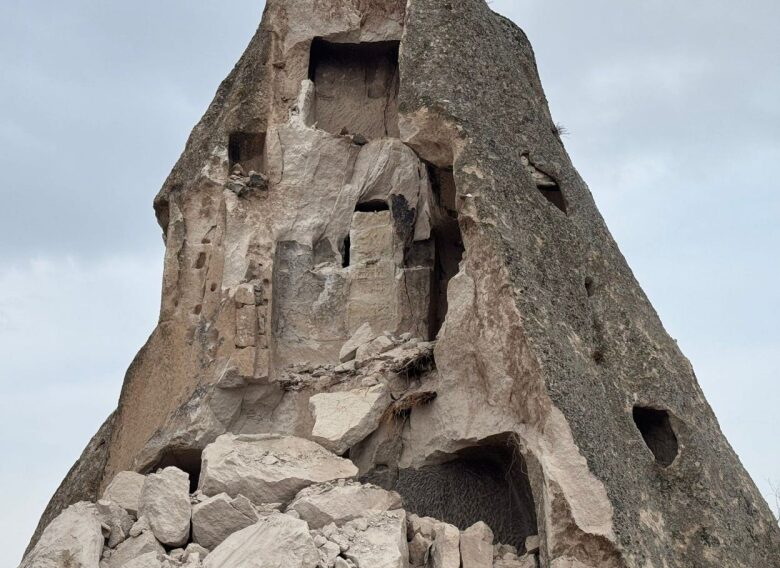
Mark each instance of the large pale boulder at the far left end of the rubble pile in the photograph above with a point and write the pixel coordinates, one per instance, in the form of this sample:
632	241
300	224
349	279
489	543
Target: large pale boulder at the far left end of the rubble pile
73	539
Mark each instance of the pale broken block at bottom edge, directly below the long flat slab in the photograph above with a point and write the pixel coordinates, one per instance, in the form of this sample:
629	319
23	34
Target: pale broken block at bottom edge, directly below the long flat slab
378	540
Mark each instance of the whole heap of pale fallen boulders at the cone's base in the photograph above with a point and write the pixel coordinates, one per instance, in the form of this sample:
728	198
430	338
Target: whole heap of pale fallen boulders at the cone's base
336	523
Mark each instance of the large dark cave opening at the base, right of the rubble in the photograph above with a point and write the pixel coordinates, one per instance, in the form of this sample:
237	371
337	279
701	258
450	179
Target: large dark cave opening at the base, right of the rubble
486	483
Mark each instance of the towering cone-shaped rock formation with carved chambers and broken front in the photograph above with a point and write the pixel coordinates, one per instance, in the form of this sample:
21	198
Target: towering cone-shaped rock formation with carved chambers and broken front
377	202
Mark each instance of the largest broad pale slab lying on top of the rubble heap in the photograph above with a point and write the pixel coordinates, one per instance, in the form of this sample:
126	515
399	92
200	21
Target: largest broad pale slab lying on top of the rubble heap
268	468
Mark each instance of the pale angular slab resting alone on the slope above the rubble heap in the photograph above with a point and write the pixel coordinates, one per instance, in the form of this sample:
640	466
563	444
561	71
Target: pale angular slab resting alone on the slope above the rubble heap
342	419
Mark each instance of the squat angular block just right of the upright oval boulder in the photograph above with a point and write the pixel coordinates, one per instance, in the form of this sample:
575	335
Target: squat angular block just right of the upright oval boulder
217	518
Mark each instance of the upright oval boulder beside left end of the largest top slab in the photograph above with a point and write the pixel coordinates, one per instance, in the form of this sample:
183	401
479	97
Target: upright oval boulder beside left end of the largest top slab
165	502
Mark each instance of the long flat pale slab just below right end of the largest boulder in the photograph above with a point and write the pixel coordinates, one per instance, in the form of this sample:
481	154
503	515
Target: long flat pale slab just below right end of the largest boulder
340	502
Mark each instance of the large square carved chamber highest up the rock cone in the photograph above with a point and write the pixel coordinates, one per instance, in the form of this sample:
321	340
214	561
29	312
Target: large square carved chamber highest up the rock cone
356	87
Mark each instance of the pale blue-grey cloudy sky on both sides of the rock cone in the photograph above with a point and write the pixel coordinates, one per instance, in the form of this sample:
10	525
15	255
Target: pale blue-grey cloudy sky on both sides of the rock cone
674	118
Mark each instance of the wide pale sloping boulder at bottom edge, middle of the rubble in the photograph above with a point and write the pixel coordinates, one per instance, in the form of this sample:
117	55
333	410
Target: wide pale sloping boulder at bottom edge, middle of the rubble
273	542
